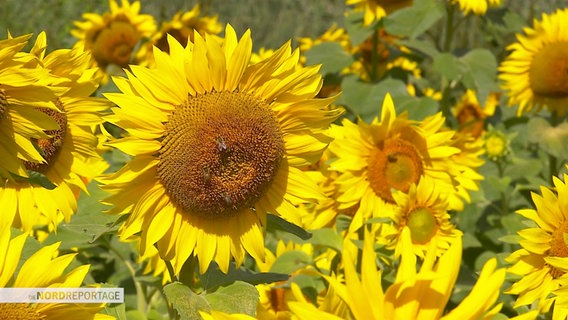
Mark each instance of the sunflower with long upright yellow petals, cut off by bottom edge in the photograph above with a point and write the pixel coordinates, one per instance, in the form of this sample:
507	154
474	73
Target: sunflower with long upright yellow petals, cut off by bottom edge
415	295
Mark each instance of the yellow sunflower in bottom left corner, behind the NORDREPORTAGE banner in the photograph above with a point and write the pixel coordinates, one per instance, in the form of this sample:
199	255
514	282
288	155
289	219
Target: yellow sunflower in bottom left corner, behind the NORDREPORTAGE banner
44	269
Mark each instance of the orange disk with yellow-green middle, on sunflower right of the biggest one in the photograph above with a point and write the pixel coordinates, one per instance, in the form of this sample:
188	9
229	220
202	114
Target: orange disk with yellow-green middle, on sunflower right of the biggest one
393	164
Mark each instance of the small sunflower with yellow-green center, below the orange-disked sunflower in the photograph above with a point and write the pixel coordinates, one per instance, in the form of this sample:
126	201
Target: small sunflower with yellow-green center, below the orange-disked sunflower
424	212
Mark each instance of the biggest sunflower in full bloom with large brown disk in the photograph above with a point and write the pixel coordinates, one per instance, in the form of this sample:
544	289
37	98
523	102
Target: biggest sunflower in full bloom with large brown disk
216	144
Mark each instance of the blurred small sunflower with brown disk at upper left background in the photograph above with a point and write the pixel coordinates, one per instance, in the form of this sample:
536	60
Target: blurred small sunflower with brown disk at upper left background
113	37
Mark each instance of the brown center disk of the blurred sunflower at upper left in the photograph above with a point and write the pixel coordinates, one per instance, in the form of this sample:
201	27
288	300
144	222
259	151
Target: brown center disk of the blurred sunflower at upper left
115	44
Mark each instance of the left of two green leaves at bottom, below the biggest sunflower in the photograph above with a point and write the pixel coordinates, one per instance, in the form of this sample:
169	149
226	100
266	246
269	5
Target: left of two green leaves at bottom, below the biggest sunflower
185	301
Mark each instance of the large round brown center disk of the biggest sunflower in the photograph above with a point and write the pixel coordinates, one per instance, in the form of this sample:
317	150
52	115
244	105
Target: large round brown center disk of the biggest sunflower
220	153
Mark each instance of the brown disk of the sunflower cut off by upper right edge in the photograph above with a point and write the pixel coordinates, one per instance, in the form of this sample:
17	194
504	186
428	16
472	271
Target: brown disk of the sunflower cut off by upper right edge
549	71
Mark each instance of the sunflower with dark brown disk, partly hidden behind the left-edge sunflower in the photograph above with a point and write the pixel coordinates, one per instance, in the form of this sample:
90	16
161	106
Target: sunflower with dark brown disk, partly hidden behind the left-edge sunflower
69	152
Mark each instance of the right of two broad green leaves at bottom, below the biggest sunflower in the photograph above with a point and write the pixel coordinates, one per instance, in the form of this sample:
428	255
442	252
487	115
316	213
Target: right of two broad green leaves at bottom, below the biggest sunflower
238	297
